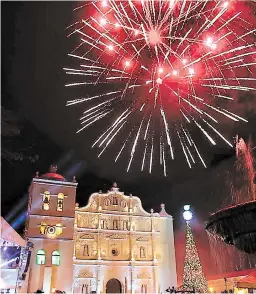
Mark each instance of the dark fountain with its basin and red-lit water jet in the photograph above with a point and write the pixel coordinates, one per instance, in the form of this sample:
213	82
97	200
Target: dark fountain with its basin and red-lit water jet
236	224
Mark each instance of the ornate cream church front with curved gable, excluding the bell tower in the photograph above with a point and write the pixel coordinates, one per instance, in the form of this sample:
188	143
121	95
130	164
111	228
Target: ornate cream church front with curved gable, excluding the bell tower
116	239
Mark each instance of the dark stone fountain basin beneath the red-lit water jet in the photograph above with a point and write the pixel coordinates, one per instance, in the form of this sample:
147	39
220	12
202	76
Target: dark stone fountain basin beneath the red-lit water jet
236	225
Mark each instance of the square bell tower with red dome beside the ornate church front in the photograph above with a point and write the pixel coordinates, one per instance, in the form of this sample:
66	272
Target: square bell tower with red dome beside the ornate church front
50	227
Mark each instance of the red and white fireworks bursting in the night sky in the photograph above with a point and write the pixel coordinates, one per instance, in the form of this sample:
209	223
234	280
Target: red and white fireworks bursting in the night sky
172	66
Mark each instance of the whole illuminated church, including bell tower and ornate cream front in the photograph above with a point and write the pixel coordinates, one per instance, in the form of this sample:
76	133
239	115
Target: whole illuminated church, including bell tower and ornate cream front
112	245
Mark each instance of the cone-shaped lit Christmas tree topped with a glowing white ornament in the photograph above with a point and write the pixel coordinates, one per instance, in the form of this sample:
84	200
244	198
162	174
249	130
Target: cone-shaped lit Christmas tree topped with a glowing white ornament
193	276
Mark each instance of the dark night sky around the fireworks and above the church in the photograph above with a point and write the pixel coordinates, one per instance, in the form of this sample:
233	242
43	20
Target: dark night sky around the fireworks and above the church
34	52
